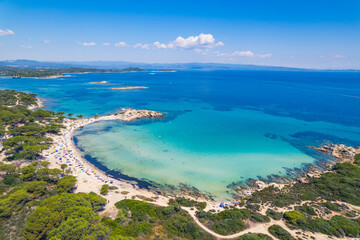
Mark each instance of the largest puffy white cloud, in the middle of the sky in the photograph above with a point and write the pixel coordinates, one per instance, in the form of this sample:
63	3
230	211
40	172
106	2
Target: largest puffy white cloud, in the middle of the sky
202	41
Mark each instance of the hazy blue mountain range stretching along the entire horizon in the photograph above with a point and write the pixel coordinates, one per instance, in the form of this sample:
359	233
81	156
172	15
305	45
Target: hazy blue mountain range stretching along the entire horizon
152	66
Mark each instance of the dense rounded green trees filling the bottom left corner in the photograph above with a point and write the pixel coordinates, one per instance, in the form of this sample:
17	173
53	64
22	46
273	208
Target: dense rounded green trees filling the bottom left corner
61	215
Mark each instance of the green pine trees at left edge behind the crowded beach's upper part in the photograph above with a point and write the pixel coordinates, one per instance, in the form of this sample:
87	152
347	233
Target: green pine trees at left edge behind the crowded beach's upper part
25	130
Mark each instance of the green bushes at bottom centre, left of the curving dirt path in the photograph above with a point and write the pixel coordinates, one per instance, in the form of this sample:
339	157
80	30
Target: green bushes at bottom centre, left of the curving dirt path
143	220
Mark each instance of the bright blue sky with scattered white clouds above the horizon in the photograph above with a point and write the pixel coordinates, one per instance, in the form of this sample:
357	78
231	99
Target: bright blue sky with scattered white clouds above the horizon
309	34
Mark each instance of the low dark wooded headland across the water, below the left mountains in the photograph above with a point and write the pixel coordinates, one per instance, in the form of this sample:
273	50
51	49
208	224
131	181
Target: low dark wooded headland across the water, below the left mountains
47	72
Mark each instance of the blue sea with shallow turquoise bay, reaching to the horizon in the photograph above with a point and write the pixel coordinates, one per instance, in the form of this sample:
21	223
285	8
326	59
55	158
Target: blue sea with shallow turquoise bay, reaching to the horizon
221	126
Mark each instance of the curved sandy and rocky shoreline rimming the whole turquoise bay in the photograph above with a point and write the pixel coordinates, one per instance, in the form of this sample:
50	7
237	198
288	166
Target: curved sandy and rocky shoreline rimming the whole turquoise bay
91	170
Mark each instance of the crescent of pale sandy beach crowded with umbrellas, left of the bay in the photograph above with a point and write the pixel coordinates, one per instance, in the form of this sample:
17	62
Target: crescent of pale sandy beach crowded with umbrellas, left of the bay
91	177
